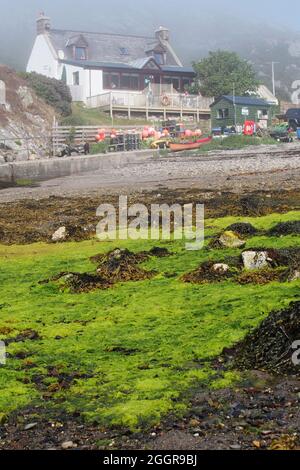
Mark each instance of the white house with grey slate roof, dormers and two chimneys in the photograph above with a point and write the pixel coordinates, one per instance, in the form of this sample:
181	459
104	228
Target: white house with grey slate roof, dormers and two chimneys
93	64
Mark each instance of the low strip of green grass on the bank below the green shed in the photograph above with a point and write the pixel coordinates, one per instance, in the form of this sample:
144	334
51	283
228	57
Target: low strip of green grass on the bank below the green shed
235	142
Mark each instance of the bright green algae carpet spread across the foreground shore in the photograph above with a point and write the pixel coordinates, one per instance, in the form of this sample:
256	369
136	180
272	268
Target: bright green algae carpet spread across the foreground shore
133	350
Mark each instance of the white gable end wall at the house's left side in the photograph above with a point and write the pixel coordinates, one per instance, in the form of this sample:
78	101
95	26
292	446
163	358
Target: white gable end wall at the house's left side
42	59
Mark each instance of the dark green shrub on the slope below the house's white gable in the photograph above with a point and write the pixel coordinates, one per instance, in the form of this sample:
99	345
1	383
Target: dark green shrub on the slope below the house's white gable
54	92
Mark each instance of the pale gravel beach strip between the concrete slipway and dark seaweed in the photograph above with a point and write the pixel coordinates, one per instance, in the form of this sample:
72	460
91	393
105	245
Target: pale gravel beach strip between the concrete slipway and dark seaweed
250	169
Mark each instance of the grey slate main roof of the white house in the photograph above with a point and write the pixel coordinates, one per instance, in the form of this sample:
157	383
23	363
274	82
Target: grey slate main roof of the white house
110	48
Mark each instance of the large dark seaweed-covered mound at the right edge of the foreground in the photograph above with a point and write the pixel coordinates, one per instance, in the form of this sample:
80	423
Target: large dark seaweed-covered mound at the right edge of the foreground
271	346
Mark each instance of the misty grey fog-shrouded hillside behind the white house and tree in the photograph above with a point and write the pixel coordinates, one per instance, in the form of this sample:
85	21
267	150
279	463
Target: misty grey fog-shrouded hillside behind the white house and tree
260	33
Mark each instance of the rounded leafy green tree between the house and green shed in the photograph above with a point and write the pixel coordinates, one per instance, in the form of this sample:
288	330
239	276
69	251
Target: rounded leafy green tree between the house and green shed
223	71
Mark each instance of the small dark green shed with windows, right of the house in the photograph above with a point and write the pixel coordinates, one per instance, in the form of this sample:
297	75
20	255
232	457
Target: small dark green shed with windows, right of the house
228	111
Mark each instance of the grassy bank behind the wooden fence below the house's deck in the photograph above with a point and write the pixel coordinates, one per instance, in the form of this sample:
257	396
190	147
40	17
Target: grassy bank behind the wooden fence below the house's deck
83	116
